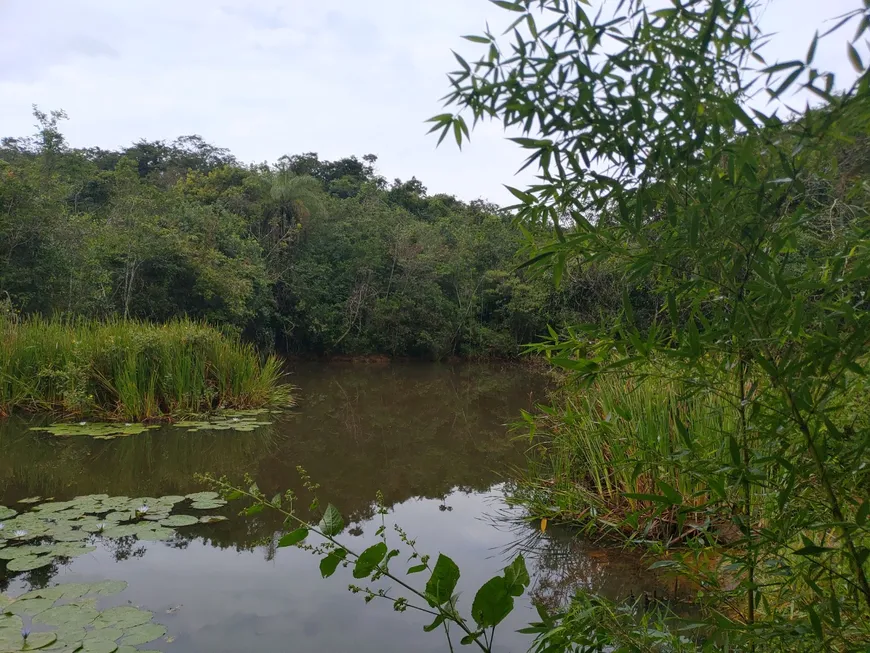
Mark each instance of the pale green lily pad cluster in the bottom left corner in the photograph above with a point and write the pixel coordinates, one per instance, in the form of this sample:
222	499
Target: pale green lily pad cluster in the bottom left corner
66	618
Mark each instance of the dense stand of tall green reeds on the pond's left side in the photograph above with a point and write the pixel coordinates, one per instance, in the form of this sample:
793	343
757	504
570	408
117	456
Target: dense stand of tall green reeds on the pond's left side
131	370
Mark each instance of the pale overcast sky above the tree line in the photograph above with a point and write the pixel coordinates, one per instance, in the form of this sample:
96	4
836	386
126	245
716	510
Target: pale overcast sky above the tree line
265	78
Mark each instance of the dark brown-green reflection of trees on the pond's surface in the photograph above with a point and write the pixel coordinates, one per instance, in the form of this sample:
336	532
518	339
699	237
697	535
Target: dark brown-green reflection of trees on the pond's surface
415	430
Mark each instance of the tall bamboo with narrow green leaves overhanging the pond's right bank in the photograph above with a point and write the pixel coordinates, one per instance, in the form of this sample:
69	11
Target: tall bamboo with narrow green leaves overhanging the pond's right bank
655	155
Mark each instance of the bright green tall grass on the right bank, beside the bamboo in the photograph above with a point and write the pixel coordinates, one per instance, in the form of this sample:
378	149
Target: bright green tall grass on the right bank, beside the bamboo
594	446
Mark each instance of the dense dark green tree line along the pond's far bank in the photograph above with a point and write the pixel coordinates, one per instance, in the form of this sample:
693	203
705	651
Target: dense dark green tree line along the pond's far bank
310	255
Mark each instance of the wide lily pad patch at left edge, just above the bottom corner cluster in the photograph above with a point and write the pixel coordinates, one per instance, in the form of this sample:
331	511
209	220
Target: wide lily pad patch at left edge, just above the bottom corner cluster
67	529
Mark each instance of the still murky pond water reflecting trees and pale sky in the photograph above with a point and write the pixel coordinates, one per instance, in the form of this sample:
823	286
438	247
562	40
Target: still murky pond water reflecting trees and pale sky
433	438
